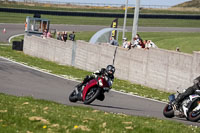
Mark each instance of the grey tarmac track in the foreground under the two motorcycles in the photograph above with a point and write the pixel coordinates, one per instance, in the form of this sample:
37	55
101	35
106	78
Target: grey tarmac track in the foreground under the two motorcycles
16	79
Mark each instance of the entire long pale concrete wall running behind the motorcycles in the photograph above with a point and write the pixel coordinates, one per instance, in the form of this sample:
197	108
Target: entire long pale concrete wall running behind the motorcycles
156	68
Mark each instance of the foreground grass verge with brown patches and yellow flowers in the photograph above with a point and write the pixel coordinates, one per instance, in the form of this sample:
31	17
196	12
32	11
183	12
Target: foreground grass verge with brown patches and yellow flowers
27	115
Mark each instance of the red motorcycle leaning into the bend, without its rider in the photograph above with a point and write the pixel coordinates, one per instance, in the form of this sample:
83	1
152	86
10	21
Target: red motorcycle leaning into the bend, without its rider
93	89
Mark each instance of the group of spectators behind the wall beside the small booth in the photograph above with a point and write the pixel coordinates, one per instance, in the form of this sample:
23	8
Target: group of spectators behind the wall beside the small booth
63	36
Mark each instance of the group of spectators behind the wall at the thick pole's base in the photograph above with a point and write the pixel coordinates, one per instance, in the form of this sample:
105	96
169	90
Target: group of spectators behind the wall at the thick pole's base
138	43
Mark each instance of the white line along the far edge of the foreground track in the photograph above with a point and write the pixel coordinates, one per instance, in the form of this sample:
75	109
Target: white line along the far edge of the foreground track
12	61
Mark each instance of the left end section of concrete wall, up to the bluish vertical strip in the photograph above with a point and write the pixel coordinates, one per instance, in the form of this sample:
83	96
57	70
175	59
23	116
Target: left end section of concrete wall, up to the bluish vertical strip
49	49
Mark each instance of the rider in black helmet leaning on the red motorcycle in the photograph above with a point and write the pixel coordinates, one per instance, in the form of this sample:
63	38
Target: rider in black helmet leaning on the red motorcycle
108	72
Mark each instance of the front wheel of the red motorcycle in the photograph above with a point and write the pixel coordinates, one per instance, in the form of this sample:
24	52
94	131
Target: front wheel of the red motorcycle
91	95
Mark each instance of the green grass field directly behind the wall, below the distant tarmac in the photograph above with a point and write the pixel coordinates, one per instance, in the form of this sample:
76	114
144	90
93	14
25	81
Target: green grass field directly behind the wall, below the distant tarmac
186	41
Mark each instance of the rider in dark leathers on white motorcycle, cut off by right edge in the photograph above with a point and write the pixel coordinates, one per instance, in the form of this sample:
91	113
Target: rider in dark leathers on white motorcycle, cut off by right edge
189	91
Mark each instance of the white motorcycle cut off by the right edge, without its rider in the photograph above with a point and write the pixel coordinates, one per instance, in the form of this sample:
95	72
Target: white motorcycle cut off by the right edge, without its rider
188	108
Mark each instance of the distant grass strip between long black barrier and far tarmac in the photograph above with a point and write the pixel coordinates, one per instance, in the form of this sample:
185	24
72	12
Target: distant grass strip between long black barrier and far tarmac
11	18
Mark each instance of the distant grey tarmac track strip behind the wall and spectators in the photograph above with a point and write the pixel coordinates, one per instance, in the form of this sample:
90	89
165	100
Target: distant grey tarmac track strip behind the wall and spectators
13	29
